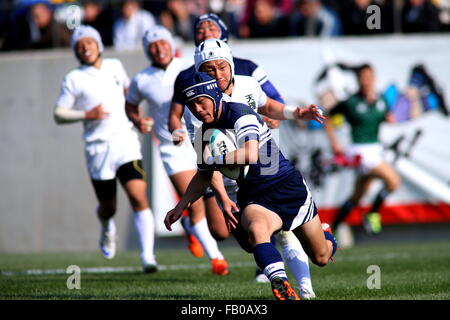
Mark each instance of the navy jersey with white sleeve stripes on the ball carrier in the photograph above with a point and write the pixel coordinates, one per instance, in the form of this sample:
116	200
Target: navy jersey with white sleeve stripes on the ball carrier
272	167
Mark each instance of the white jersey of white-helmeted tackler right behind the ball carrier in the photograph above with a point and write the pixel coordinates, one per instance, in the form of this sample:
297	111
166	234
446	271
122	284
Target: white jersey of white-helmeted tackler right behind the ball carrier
246	90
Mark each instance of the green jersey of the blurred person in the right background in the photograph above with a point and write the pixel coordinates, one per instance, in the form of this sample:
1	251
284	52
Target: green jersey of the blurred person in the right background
364	118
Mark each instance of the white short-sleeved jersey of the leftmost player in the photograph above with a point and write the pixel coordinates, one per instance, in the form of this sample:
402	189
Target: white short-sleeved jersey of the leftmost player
86	87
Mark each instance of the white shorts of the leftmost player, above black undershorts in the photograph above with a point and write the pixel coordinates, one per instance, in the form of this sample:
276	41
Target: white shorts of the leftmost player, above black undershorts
104	158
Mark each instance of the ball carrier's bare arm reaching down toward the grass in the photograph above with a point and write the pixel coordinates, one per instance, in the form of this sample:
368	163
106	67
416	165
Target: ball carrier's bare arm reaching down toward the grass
194	191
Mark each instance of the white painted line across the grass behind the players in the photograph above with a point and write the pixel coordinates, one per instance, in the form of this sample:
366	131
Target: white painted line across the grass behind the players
39	272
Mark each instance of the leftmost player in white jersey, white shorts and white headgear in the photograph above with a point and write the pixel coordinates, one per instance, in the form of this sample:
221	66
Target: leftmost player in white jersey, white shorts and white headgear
94	94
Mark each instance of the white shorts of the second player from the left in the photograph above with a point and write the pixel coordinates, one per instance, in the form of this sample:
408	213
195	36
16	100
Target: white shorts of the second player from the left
178	158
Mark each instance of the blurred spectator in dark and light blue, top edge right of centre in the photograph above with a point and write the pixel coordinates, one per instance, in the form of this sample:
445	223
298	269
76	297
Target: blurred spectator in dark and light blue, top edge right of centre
311	18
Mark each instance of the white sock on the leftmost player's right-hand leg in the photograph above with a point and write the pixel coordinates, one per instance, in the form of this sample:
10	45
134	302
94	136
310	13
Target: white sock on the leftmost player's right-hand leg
145	228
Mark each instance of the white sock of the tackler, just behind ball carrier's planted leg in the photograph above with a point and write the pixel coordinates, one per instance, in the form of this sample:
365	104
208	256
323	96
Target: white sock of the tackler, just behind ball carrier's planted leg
296	258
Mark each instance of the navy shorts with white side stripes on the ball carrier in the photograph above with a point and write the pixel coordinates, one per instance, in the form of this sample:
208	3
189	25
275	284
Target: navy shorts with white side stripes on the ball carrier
290	199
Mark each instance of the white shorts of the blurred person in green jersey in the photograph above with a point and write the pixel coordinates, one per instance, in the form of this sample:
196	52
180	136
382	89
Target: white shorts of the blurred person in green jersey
371	155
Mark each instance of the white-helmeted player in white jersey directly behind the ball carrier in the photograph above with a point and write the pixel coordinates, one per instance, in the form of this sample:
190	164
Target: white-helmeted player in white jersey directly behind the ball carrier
214	57
